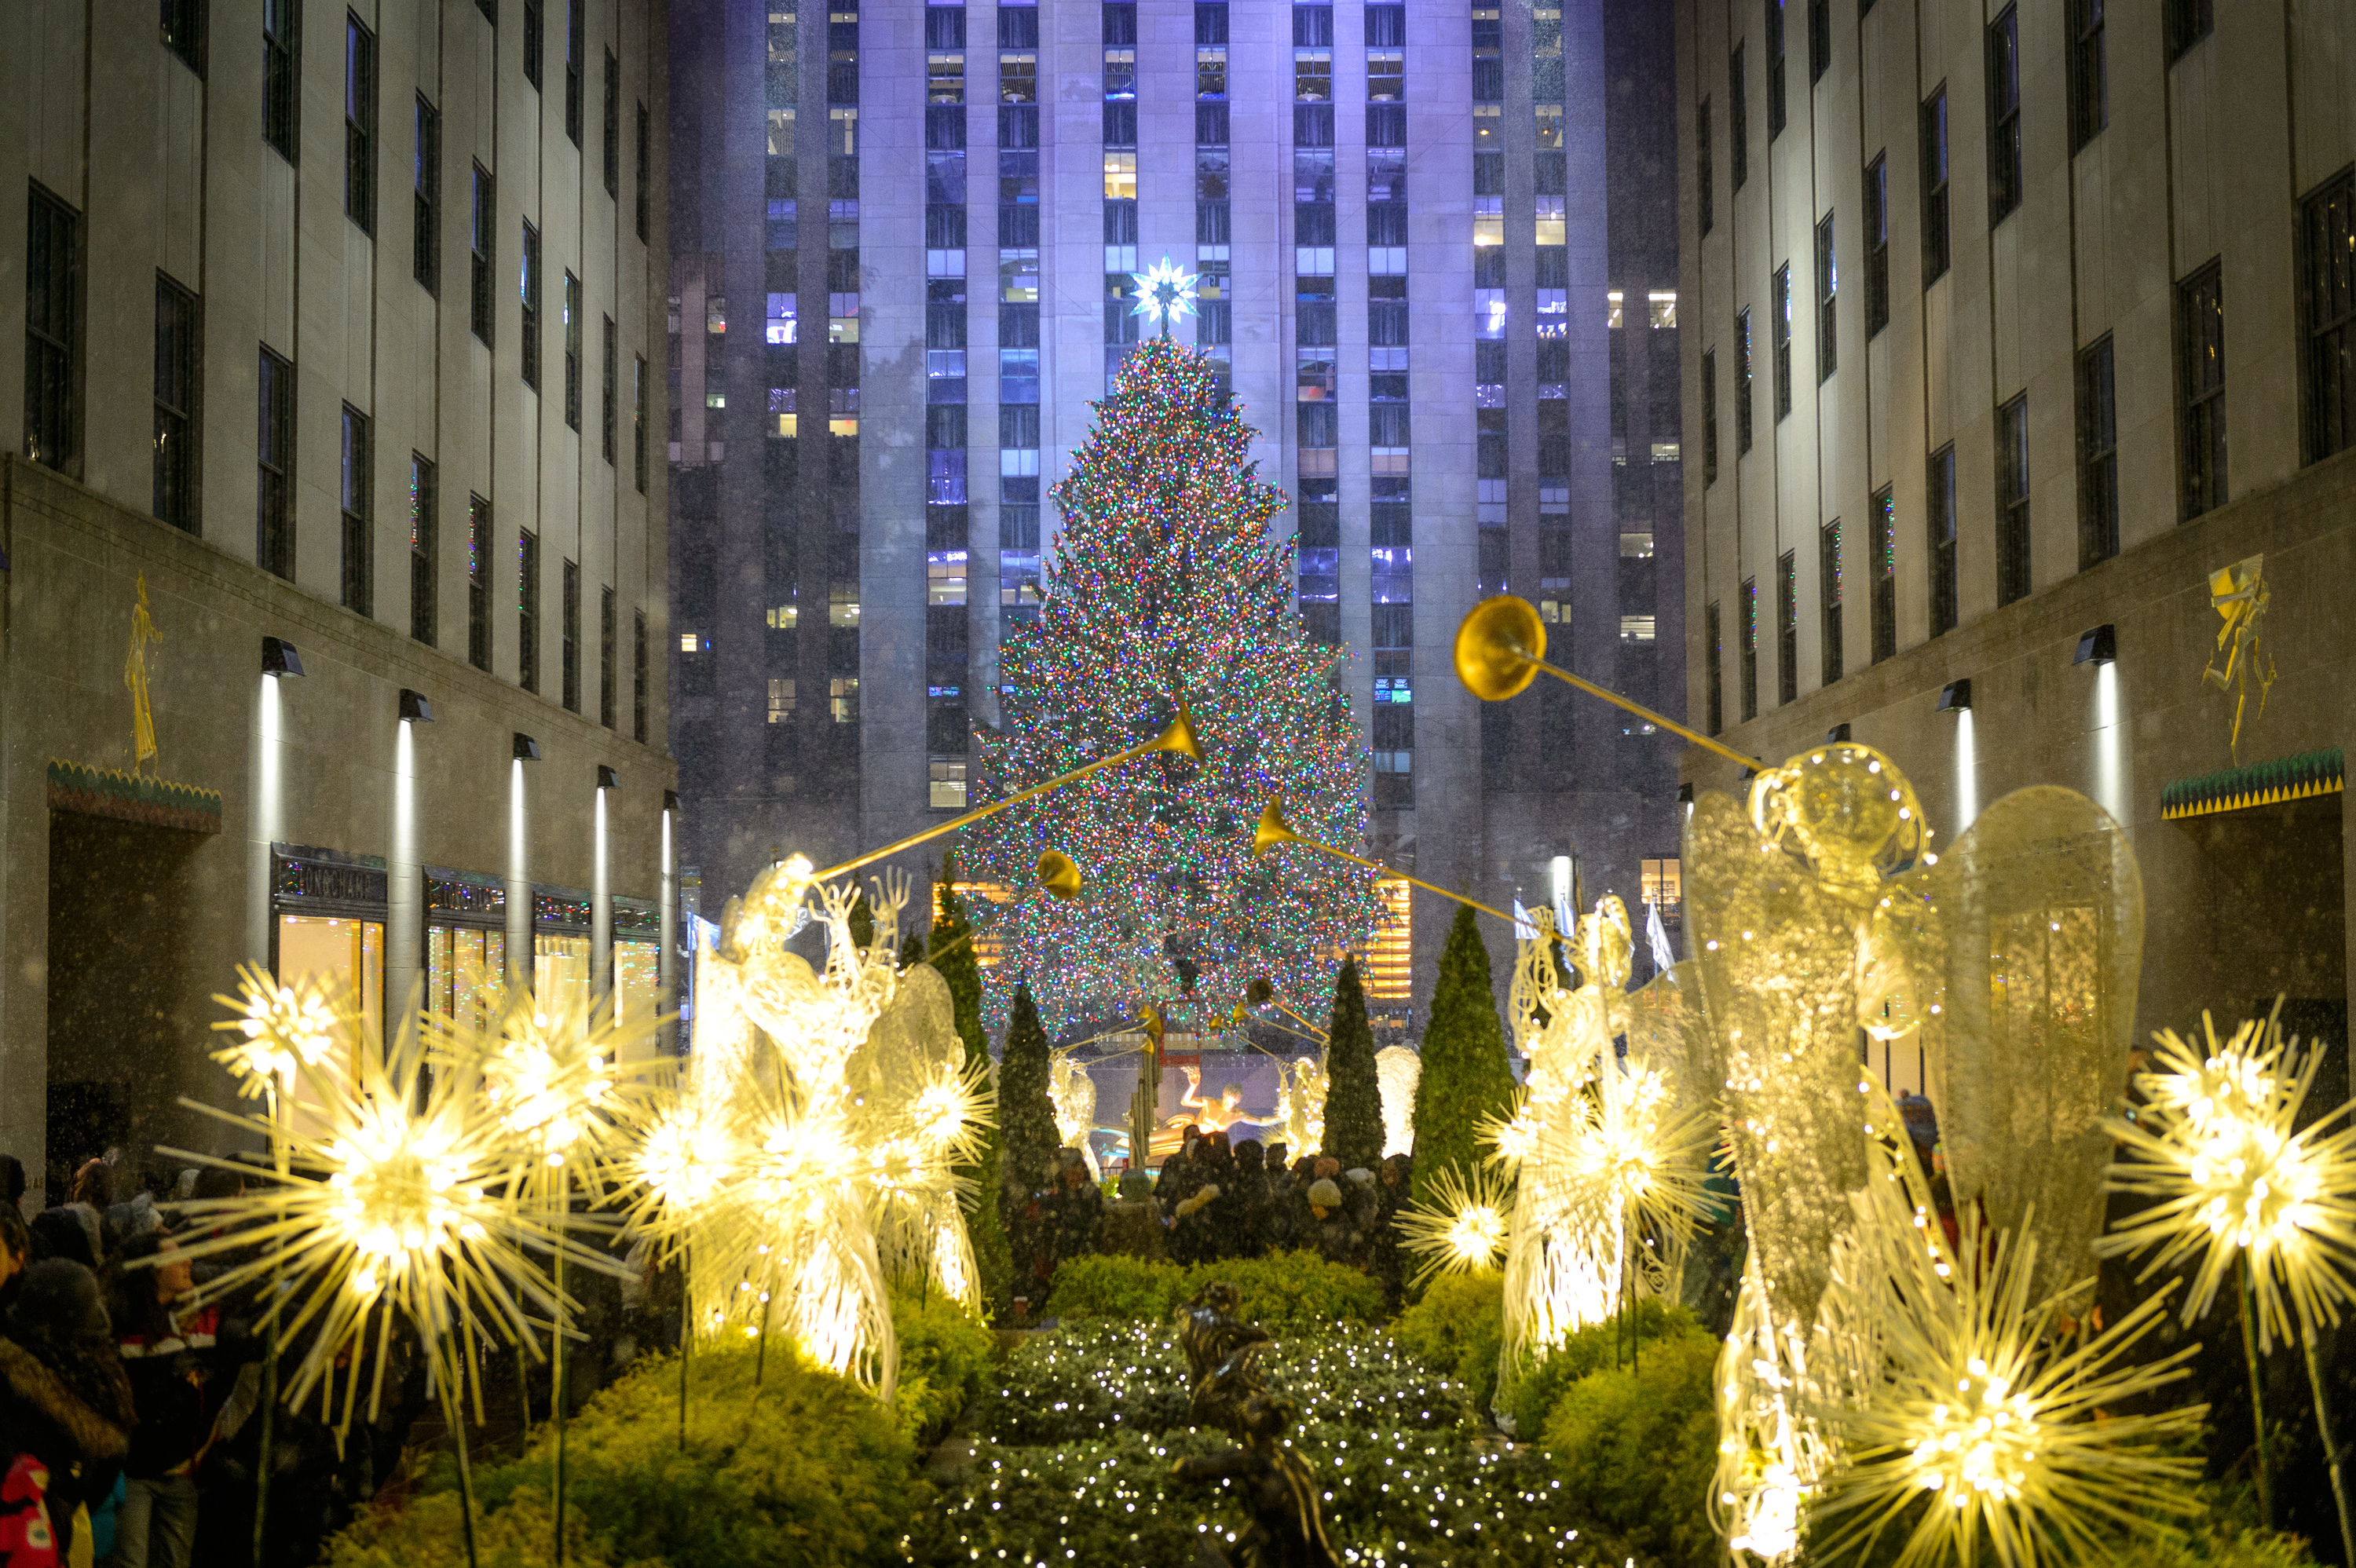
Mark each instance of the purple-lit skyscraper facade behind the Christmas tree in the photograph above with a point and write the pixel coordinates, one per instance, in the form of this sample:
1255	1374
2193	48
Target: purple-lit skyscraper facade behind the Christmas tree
1408	260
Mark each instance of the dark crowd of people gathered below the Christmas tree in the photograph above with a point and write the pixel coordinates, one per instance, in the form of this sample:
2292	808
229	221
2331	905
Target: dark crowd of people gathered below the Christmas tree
1222	1197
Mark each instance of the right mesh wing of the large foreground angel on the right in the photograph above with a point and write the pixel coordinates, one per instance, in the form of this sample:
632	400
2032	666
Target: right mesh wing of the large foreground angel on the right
2044	915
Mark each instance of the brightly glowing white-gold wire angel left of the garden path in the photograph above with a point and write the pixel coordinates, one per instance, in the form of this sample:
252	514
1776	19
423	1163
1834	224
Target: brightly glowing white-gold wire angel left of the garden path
852	1108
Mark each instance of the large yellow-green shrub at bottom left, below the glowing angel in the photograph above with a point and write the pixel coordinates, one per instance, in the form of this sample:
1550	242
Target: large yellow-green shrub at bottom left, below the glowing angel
809	1473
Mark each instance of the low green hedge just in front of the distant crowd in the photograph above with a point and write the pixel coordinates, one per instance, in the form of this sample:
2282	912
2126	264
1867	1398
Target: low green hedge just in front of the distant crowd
1278	1291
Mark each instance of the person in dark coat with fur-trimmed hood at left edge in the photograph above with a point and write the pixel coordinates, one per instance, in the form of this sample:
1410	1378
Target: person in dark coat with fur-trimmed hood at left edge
65	1404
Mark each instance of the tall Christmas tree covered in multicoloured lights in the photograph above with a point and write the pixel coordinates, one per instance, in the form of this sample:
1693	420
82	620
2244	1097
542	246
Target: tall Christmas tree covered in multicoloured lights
1165	592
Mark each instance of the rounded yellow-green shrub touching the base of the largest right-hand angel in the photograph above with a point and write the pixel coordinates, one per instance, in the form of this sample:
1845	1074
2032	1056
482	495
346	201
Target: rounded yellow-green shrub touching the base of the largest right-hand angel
1639	1449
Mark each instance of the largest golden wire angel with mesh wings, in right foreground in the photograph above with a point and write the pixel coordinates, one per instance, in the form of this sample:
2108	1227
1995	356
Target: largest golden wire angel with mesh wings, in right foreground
1825	929
